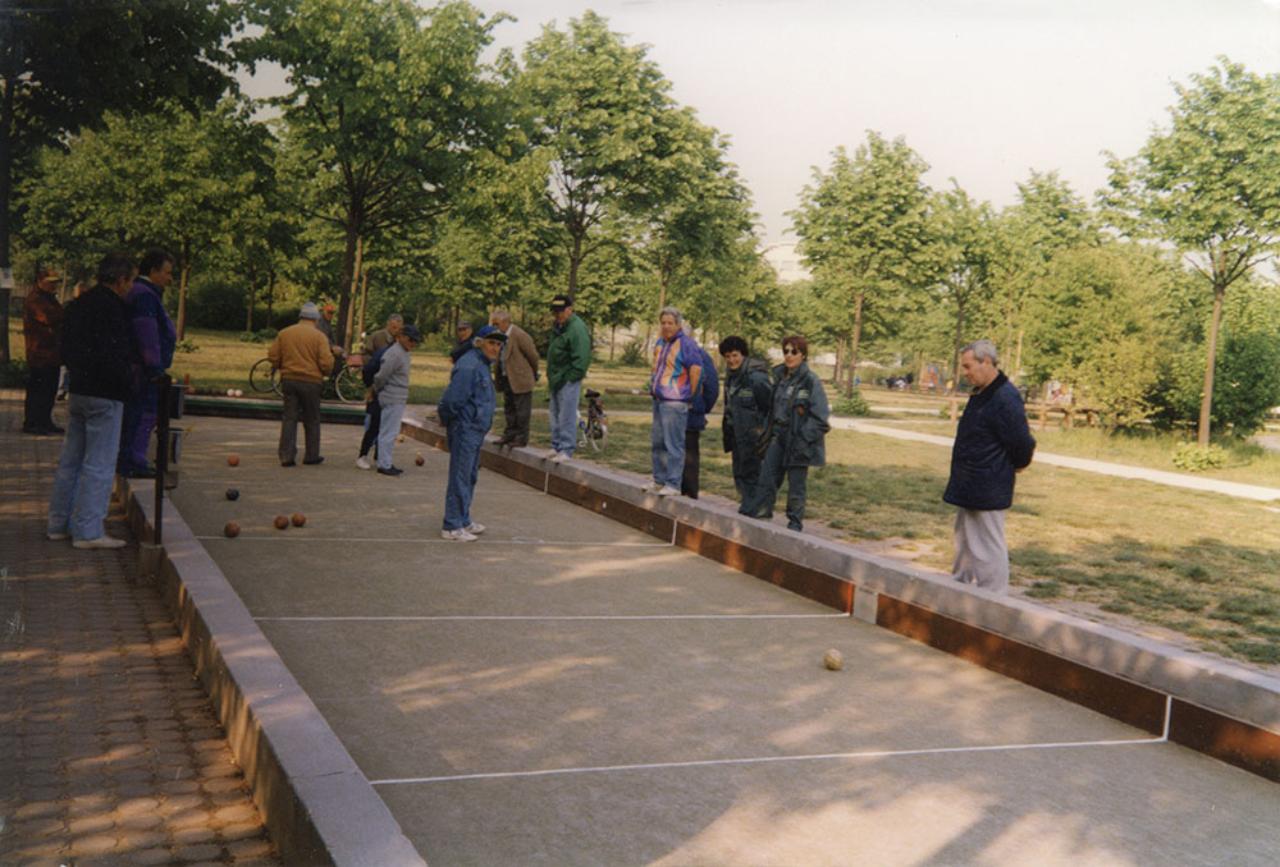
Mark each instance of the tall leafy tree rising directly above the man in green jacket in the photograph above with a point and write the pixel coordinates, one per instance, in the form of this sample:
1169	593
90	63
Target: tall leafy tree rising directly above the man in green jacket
614	140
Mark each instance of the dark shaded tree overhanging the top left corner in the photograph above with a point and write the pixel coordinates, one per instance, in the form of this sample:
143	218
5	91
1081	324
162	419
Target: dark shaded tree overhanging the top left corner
65	63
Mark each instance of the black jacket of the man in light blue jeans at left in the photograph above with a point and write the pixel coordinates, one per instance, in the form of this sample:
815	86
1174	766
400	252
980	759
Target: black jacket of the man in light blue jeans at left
99	348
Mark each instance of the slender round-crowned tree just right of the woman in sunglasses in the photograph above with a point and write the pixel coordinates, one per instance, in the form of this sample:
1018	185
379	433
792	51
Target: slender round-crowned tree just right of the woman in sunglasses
863	223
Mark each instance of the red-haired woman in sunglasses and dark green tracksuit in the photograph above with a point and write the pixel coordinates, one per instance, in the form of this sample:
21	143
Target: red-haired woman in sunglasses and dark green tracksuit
796	437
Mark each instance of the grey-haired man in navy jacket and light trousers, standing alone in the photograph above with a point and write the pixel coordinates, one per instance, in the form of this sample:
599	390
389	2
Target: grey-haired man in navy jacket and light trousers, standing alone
993	444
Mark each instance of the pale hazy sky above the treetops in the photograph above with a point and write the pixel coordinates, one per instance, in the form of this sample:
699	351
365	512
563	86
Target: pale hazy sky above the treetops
984	90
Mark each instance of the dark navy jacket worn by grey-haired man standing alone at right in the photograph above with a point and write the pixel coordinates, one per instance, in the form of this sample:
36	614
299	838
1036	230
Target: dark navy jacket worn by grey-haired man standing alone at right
993	441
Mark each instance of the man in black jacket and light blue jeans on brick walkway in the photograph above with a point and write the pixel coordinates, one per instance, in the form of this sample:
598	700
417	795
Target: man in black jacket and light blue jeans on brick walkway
99	352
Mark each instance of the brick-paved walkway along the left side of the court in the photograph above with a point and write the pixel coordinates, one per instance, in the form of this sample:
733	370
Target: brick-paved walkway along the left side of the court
109	749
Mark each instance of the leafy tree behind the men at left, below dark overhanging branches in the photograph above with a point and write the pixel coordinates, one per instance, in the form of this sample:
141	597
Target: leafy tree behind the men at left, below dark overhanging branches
171	179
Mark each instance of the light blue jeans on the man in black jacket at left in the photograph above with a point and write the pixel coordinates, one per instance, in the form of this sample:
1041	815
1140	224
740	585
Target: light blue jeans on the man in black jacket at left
83	486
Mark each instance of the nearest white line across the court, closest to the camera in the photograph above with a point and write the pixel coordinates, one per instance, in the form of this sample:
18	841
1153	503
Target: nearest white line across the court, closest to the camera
767	760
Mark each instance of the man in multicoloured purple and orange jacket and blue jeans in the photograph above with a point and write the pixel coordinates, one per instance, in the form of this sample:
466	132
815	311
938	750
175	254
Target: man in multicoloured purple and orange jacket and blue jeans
678	372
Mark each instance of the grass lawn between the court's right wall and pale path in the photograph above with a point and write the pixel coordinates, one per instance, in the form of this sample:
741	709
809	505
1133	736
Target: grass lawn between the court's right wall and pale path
1204	567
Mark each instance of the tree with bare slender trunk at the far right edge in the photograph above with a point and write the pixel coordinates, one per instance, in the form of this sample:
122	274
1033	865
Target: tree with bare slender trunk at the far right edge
1210	184
